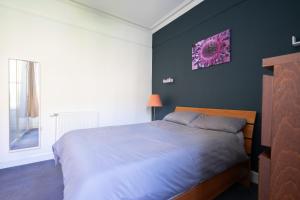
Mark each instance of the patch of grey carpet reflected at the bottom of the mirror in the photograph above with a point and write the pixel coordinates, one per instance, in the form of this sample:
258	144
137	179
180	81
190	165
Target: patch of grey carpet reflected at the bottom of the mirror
29	139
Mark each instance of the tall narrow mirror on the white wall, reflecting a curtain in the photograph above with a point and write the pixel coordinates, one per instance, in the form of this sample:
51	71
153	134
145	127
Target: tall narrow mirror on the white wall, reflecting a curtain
24	92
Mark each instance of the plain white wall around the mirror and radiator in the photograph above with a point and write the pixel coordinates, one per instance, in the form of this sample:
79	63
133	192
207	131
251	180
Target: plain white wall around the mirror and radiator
89	61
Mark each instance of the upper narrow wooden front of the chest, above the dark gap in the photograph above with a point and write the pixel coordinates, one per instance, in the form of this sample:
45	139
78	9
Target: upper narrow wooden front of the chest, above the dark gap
266	130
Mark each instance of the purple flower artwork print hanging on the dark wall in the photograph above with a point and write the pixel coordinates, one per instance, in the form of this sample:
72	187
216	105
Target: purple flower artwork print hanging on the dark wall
211	51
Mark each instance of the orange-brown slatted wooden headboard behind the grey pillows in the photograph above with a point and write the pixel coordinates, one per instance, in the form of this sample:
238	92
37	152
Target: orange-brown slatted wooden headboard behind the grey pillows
245	114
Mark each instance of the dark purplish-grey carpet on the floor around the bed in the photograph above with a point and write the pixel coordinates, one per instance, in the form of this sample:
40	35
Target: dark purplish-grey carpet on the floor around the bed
43	181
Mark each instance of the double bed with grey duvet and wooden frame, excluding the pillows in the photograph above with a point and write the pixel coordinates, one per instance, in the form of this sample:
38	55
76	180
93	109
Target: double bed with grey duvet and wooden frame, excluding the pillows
155	160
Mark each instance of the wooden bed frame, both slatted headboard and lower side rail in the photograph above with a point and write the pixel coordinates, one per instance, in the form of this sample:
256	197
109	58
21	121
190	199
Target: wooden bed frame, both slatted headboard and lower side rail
211	188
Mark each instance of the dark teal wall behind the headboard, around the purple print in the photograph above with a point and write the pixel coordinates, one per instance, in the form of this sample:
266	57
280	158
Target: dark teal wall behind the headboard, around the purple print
259	29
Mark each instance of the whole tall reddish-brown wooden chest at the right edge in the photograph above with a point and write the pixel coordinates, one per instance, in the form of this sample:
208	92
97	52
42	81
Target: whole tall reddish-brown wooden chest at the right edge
279	164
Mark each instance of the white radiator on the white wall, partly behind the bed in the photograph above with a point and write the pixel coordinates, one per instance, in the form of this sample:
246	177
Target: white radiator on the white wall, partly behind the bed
68	121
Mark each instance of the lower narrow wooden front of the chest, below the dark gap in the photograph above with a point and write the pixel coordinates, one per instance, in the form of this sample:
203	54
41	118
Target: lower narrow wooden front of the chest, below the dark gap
264	177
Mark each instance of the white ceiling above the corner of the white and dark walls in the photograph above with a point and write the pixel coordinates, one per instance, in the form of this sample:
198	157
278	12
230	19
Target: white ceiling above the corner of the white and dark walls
145	13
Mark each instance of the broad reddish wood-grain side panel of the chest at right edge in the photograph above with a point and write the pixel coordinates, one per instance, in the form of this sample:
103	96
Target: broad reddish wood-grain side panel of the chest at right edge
285	151
